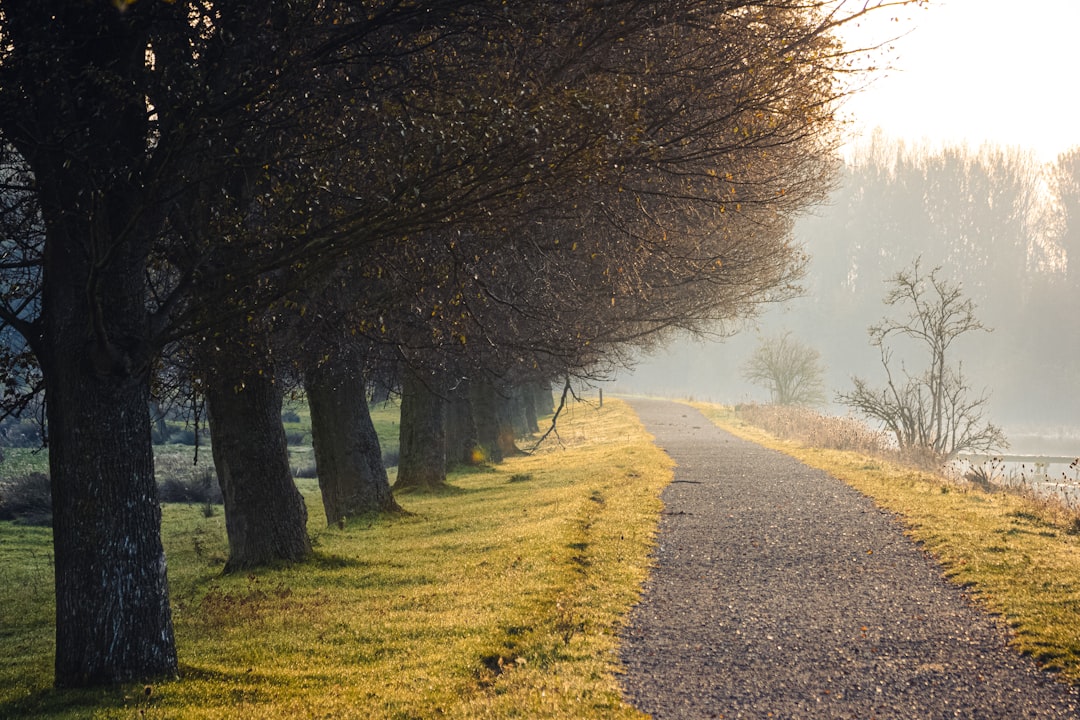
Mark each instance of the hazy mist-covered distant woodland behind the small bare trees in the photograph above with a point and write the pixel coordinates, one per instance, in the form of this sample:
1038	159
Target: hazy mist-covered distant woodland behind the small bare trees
995	220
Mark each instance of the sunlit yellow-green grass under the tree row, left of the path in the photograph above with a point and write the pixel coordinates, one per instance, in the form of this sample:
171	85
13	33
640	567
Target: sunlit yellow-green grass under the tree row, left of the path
498	600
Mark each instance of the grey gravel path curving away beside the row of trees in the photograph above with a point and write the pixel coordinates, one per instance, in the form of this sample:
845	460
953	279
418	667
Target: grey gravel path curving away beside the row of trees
781	593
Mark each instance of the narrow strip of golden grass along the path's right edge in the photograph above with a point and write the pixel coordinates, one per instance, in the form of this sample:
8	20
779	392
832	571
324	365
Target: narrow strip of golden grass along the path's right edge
1019	556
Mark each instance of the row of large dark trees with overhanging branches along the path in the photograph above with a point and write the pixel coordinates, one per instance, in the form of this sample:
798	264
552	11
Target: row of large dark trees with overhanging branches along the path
233	197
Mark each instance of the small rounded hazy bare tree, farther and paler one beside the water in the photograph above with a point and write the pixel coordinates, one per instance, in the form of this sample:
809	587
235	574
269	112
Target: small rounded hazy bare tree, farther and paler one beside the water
790	370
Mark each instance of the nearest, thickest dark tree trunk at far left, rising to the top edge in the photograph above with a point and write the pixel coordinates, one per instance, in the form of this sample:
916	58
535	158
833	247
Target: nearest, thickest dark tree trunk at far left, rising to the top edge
72	115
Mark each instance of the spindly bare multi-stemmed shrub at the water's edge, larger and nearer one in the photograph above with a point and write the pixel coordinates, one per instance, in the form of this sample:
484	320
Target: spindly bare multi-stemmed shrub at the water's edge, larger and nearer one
931	411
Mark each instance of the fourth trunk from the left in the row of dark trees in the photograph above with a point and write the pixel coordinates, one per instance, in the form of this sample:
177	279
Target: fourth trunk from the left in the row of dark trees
422	465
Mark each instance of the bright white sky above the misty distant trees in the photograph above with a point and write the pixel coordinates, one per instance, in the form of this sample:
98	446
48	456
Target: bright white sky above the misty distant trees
1006	72
